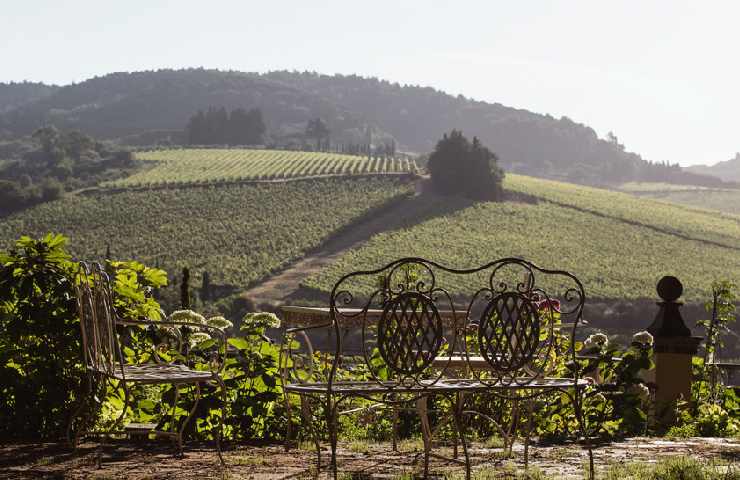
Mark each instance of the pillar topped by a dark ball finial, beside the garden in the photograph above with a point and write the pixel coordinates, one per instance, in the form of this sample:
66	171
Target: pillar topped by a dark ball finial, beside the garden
674	348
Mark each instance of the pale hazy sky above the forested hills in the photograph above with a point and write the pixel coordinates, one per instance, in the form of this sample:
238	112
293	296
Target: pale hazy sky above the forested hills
664	76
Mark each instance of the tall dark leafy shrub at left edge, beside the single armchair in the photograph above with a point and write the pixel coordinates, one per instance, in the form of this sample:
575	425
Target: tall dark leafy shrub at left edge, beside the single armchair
39	338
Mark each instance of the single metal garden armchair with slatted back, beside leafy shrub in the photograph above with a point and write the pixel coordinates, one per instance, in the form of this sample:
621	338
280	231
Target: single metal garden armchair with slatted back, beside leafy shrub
105	363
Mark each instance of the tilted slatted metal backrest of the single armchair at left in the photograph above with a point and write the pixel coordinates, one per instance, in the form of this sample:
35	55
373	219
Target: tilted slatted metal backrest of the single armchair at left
97	320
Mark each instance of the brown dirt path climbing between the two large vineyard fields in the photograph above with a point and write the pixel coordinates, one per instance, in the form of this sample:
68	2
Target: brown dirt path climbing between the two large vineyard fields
280	286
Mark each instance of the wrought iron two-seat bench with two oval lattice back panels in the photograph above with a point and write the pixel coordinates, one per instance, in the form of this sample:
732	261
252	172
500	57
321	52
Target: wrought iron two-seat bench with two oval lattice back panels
414	332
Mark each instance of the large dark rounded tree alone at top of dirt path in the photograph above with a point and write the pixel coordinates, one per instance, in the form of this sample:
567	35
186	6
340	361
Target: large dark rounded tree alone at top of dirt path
460	167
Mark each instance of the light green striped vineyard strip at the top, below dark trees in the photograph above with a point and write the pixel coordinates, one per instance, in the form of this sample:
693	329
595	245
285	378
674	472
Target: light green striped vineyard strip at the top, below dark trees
206	166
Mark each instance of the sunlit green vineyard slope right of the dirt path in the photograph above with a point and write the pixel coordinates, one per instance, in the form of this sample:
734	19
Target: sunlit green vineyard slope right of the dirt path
611	251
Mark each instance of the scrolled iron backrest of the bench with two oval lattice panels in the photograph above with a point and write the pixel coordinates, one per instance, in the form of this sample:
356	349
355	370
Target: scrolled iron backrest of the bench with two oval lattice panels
418	318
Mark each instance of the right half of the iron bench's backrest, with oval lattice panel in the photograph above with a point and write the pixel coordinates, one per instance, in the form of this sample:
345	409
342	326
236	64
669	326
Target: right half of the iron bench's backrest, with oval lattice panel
519	319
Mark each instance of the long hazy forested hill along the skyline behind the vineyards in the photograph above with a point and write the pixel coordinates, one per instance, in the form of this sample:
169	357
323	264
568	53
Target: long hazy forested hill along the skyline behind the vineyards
154	106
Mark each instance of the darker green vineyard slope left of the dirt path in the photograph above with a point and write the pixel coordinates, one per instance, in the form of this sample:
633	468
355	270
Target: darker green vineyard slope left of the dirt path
238	233
